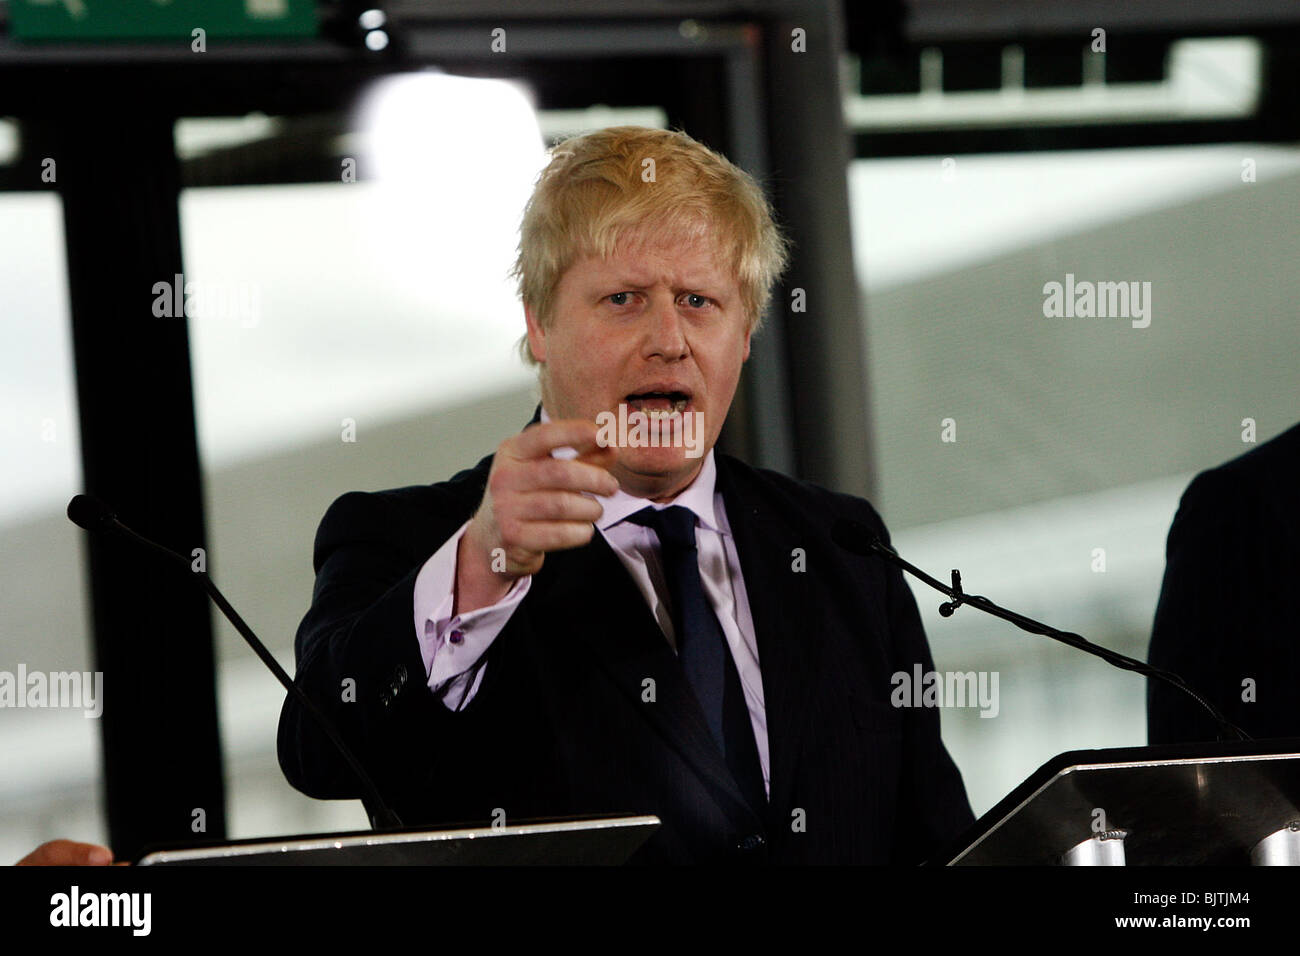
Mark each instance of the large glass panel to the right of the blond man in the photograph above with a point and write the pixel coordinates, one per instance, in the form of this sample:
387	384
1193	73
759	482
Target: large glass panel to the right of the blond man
1068	440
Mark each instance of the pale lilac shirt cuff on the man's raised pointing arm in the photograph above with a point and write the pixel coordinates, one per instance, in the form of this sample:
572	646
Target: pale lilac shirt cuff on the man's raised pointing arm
452	646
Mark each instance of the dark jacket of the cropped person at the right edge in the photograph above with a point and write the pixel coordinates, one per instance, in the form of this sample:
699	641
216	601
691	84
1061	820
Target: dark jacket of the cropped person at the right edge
1228	607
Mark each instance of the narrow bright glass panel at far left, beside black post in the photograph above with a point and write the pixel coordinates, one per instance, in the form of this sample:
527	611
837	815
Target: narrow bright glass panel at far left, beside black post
50	747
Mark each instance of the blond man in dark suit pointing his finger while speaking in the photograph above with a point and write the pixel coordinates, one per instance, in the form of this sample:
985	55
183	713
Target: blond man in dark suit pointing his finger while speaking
579	626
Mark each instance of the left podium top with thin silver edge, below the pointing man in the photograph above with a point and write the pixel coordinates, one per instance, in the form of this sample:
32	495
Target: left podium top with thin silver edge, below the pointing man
575	842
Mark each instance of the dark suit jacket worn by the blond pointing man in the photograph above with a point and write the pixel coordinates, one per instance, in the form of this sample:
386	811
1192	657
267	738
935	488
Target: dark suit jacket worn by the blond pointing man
561	726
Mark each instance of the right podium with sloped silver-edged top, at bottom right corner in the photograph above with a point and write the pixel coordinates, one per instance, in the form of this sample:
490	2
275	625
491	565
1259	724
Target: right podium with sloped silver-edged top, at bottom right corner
1227	804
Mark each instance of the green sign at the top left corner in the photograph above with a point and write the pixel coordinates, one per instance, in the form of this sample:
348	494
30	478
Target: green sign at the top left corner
157	20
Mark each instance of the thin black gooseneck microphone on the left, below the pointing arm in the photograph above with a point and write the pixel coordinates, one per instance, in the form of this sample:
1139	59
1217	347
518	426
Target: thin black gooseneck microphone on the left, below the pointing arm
94	516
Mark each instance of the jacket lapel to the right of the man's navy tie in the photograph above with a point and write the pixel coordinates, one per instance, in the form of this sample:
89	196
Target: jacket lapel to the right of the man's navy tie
786	628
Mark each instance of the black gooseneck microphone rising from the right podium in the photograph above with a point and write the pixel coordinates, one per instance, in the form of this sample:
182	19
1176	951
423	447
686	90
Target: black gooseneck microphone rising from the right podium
859	539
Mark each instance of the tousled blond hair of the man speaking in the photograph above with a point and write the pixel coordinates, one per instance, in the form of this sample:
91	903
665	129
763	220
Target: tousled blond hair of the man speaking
592	197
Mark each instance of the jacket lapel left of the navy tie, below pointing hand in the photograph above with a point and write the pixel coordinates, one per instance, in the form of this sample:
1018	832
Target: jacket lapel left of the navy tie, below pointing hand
626	641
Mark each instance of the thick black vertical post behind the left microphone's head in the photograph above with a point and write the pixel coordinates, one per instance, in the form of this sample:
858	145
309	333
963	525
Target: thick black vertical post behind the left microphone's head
119	179
